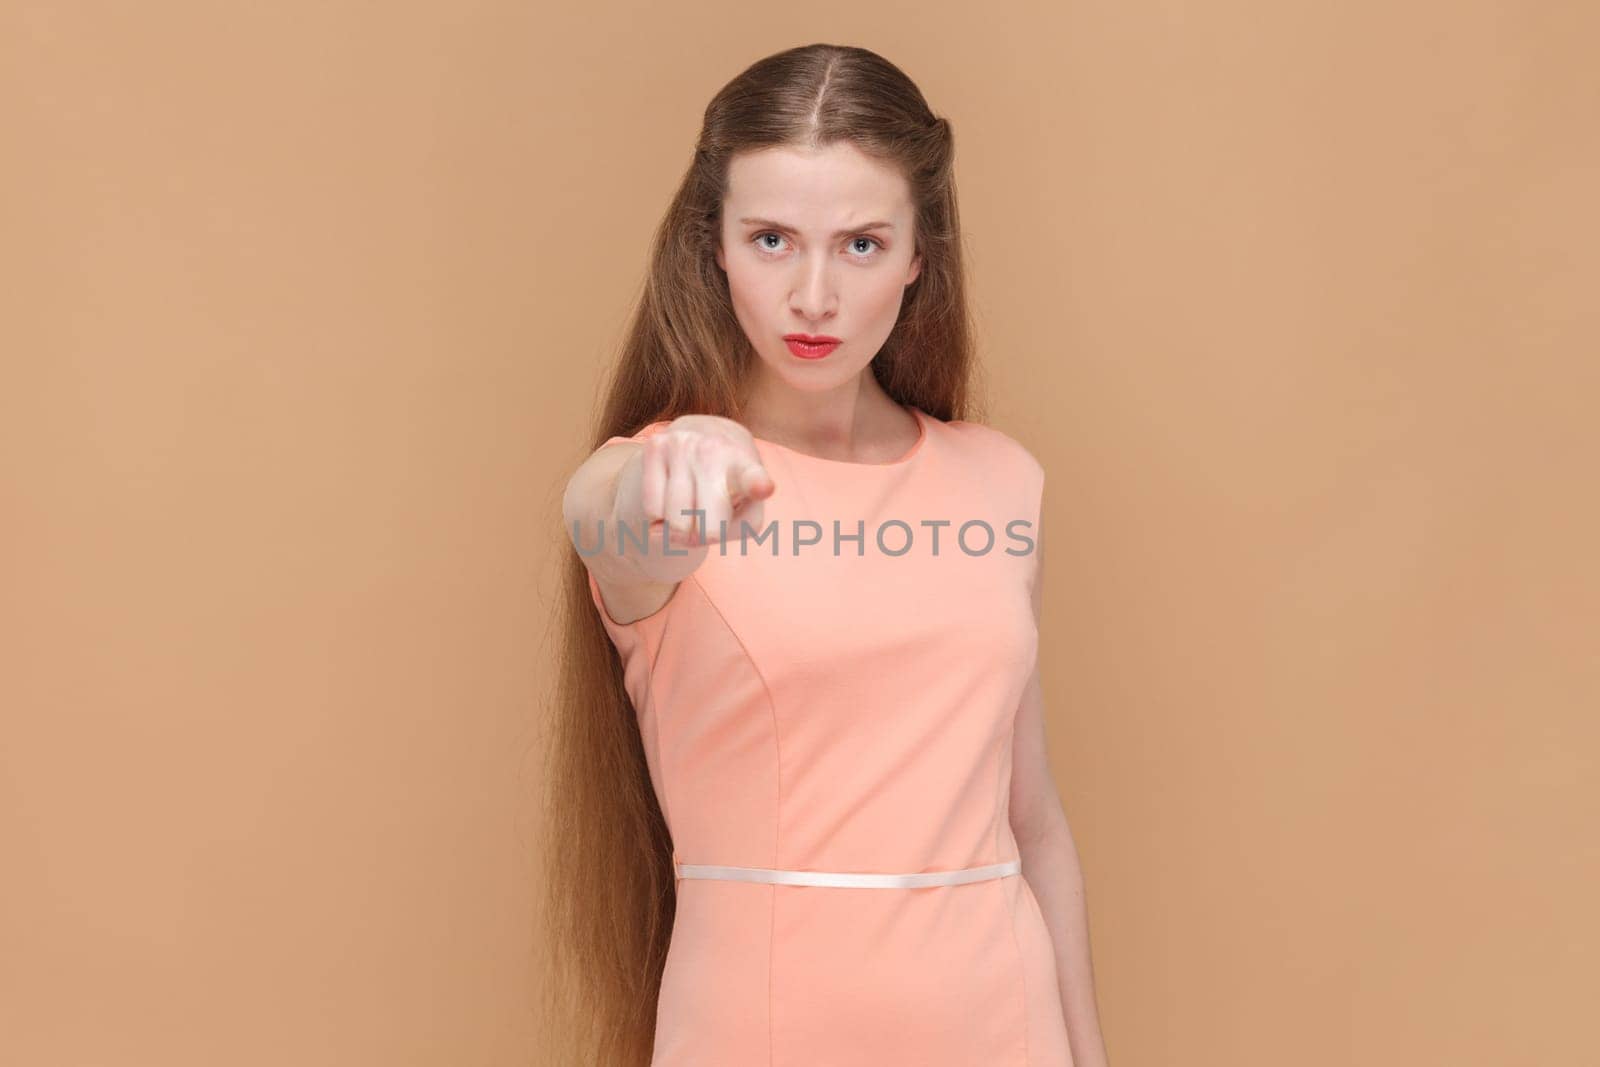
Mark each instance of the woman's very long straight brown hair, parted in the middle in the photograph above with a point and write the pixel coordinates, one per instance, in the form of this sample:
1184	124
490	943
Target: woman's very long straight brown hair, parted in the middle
609	889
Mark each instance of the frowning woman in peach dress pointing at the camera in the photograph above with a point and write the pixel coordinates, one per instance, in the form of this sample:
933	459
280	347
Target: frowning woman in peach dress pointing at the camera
799	761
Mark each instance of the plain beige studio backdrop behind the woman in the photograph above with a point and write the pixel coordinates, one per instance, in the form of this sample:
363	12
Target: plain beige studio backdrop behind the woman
305	311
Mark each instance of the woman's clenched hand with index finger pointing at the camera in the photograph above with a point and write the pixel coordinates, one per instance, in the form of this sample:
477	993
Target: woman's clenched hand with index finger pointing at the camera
700	463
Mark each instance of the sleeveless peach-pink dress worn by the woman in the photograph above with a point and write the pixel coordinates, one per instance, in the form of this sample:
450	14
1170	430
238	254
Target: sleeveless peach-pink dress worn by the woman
852	713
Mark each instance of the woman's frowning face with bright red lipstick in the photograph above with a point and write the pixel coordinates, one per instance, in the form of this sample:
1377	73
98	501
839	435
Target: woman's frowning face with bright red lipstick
817	242
